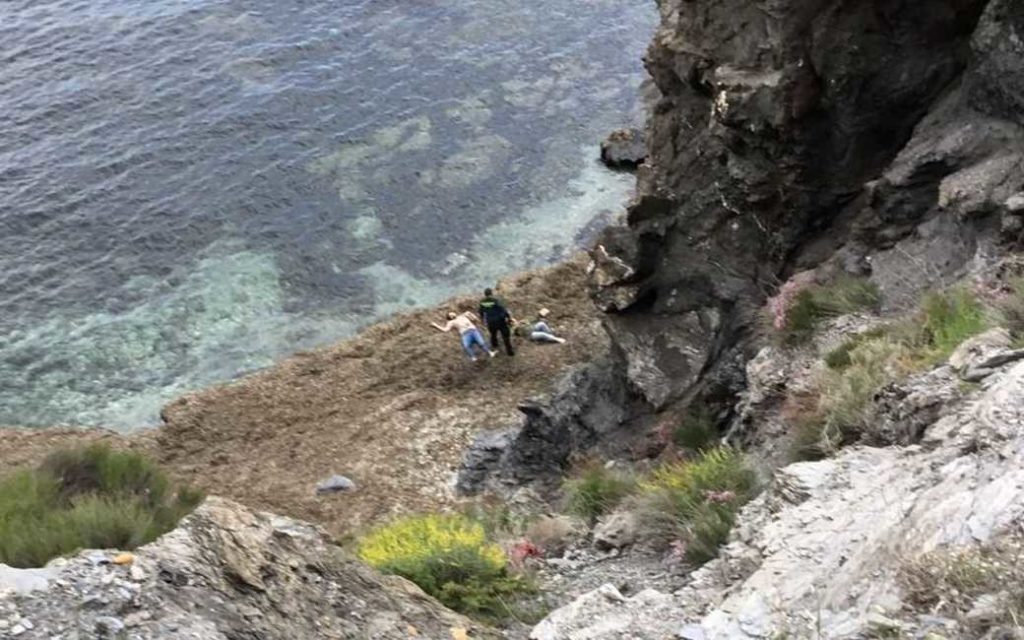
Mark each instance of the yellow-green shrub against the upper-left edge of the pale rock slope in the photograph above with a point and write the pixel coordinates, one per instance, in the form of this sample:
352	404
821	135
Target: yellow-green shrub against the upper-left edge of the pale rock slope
697	502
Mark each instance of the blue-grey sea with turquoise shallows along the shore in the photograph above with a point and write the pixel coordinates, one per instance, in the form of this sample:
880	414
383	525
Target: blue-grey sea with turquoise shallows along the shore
192	190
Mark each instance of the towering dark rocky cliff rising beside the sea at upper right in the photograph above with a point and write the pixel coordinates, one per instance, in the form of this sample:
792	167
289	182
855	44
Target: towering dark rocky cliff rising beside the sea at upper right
875	139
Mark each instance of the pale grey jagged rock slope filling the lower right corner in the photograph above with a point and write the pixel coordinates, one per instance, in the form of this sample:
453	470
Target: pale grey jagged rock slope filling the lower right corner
821	553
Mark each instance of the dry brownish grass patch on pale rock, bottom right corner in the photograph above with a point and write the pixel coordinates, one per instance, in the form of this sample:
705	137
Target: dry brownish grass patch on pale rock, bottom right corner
949	583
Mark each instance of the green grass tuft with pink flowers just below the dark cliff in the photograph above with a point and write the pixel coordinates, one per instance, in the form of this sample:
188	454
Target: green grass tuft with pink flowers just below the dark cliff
819	303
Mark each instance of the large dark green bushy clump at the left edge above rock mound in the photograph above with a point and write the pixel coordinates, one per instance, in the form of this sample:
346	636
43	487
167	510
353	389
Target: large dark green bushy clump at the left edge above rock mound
87	498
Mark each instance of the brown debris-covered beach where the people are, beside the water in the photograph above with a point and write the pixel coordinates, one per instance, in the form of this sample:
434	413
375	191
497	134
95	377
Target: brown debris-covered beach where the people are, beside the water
393	409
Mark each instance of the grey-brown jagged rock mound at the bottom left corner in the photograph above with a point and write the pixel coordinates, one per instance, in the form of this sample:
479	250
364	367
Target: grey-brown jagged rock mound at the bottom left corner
227	573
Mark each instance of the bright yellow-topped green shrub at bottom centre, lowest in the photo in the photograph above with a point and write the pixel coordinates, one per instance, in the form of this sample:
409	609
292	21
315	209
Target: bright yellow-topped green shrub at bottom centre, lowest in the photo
450	558
